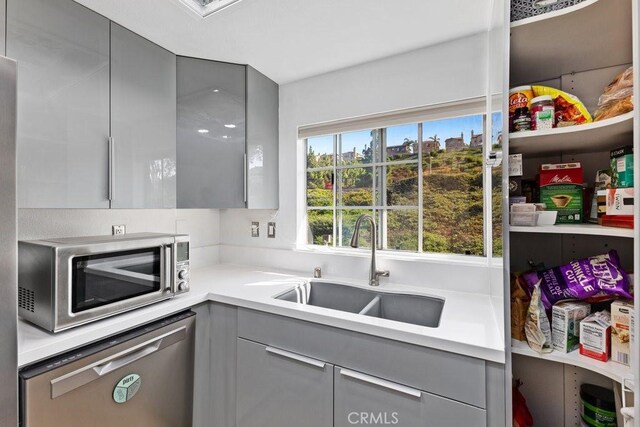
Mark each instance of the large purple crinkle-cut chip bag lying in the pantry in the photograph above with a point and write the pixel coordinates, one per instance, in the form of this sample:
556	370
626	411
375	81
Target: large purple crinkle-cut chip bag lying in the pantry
599	275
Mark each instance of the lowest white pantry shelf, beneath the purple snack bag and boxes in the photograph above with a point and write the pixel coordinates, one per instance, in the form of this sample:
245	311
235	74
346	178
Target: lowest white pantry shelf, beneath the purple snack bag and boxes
613	370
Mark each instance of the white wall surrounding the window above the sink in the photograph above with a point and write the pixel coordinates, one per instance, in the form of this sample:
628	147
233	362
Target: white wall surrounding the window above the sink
447	72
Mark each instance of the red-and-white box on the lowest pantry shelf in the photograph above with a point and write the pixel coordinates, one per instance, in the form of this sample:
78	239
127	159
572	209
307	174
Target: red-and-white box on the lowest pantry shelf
595	336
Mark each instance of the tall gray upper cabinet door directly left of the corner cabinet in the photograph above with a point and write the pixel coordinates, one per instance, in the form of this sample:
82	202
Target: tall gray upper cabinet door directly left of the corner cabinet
143	122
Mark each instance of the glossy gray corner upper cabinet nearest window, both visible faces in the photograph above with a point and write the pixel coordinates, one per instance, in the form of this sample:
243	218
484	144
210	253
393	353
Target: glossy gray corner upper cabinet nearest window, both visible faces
227	136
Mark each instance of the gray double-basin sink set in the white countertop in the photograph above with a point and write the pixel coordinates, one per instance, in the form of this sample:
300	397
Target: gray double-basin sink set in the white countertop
406	308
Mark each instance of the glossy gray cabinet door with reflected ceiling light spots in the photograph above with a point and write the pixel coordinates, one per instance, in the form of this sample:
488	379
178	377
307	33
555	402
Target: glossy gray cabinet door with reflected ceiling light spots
210	134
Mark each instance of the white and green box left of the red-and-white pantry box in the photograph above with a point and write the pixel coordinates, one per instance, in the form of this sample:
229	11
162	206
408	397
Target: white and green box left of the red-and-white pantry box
565	324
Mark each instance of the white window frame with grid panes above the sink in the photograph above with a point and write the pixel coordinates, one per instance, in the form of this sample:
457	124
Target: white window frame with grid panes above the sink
467	107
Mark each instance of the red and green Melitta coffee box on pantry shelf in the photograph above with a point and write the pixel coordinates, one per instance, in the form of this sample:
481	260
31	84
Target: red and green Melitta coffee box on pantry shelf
561	189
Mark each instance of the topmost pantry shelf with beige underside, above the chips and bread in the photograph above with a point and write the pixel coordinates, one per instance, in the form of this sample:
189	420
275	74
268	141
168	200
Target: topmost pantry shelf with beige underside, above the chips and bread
590	35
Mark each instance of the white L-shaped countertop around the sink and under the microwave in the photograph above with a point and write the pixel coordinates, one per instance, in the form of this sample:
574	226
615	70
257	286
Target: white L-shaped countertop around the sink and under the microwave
468	324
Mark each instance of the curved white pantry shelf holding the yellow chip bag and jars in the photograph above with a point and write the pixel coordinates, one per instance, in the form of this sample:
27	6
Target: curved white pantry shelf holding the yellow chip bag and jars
588	138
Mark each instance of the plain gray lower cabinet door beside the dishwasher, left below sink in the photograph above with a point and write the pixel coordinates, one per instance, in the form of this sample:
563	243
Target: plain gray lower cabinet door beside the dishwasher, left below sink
278	388
